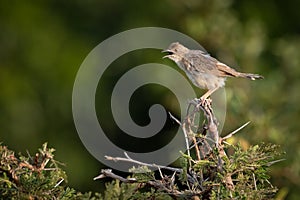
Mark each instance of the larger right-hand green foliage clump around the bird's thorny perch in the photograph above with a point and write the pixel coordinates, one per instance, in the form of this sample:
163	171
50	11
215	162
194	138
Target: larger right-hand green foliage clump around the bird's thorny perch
248	169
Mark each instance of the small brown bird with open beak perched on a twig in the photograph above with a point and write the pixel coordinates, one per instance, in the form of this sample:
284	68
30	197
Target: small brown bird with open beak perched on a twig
203	70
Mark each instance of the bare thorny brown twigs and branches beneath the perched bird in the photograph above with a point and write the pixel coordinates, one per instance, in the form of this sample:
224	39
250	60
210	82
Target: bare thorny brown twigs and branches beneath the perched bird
204	142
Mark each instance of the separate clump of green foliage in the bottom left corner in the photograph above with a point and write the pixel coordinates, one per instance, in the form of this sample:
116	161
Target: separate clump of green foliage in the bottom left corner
34	177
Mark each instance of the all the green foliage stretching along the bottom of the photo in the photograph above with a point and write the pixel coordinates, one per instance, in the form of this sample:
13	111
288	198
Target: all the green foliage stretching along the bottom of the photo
40	177
